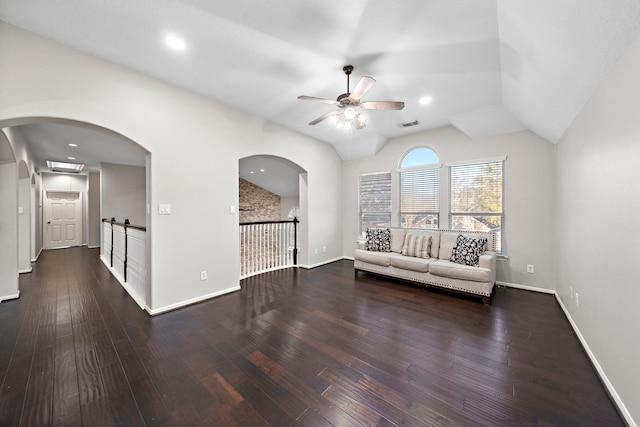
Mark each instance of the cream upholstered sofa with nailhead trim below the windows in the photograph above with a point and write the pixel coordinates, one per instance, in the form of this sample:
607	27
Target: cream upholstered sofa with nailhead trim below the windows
436	267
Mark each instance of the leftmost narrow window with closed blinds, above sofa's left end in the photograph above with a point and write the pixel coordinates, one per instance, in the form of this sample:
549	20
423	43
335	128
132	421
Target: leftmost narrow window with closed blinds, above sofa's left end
374	200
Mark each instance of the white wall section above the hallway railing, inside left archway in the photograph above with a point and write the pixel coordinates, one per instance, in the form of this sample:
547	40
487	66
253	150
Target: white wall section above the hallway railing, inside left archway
123	193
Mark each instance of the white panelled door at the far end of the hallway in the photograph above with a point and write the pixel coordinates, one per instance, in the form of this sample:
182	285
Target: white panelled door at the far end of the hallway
62	219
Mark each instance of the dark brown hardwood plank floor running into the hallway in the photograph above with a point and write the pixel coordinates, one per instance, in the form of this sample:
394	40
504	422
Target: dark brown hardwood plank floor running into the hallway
295	347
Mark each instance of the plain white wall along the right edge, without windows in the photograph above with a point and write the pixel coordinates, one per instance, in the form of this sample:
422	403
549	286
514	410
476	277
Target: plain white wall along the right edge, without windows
598	200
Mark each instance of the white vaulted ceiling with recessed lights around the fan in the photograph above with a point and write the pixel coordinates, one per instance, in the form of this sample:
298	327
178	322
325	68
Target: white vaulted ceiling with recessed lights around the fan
489	66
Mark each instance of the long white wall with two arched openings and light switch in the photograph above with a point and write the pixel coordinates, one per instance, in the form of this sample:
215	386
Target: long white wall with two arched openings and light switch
195	146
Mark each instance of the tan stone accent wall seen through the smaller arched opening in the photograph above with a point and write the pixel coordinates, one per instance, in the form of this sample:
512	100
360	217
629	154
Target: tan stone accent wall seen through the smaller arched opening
257	204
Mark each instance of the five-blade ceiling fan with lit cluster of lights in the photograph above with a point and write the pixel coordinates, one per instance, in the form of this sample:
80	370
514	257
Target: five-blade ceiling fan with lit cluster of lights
348	114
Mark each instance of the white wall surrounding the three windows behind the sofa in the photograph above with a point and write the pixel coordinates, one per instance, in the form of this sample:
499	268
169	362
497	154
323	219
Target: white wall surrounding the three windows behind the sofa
528	180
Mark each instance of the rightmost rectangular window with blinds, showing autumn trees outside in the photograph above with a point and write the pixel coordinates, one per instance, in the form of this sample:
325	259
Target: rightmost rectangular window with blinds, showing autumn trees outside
476	195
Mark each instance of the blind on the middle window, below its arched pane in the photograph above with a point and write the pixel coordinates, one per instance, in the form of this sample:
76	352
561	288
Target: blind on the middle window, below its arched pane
420	197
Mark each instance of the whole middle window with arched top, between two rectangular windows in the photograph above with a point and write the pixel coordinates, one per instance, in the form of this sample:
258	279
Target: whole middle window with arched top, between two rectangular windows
420	189
